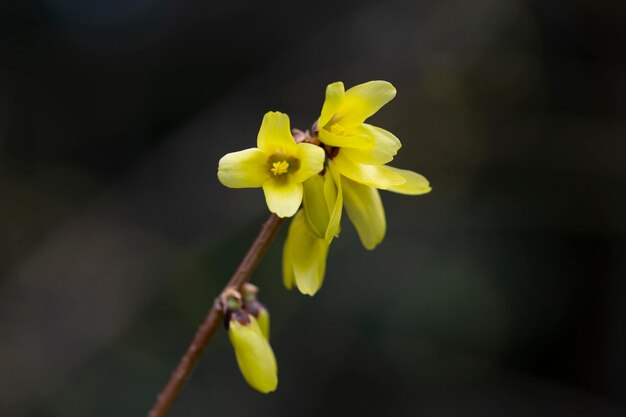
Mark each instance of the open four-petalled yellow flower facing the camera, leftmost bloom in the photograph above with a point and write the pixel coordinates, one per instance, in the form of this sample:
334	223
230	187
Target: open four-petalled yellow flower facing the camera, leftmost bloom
278	164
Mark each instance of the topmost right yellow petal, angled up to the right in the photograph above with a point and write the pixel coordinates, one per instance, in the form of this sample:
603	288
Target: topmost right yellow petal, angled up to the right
363	100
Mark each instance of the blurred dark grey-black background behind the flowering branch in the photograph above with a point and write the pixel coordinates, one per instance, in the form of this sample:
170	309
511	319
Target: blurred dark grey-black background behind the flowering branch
500	293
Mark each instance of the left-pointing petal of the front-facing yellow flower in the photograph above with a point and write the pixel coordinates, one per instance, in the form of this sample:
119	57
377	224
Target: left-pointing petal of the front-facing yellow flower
243	169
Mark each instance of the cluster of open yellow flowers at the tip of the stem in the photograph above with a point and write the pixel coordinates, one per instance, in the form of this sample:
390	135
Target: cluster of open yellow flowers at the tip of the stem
313	175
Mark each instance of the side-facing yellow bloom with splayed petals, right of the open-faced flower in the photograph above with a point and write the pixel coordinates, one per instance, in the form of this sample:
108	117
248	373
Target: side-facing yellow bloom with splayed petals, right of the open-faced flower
358	152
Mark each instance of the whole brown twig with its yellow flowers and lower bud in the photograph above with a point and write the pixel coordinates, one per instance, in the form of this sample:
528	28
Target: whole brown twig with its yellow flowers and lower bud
310	176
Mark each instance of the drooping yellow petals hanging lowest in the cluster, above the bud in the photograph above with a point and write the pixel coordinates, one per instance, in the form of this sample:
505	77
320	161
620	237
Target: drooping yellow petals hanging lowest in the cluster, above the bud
307	256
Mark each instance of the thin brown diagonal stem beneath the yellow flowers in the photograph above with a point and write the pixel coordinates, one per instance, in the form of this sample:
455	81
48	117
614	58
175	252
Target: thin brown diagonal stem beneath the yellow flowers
214	318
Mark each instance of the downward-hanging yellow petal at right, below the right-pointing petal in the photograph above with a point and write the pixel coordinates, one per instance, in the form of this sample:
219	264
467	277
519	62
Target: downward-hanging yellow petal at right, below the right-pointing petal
366	212
